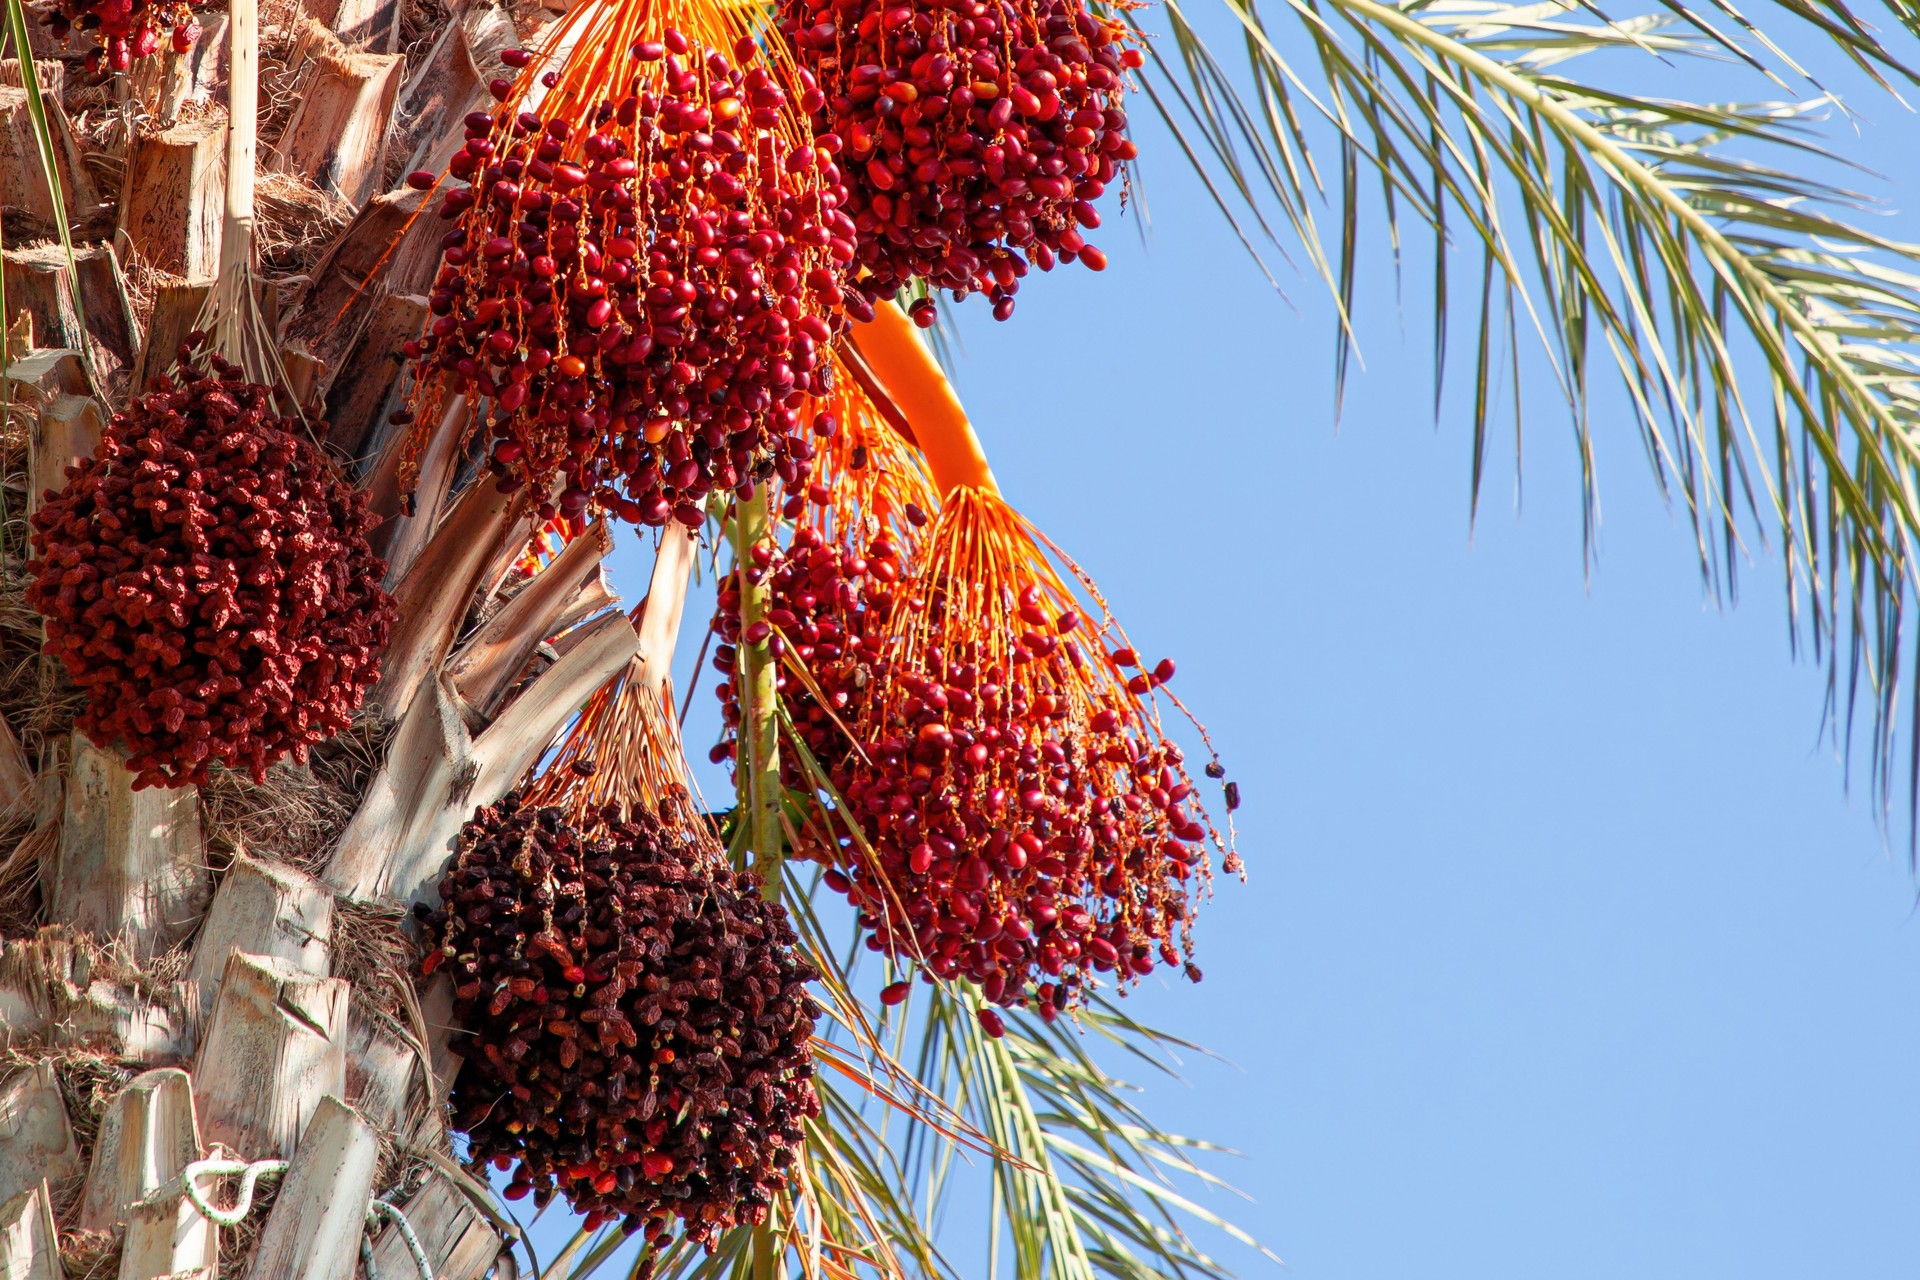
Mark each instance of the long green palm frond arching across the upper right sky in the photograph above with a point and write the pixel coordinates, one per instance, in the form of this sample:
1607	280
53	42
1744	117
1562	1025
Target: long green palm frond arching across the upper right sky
1764	339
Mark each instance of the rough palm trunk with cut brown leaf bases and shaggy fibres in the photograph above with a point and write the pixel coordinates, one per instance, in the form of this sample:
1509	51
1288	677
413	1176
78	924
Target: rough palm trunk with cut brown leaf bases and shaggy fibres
201	982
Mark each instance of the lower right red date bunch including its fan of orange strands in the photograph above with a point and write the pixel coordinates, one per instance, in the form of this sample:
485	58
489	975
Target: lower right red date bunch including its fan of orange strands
1032	828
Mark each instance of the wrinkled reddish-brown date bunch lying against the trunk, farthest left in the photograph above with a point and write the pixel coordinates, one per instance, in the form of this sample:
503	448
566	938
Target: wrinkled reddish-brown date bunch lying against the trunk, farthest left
208	586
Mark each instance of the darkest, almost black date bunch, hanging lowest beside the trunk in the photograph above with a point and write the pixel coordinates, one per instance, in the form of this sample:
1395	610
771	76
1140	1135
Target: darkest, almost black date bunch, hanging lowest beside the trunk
638	1020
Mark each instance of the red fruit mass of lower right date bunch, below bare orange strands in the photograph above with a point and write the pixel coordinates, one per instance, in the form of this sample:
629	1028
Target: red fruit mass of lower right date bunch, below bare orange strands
1024	836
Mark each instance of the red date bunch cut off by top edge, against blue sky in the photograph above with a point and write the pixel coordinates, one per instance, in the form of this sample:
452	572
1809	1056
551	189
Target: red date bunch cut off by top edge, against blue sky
976	135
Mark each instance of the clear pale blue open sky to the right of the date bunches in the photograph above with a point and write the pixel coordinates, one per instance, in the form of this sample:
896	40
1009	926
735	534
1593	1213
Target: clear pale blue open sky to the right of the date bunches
1564	951
